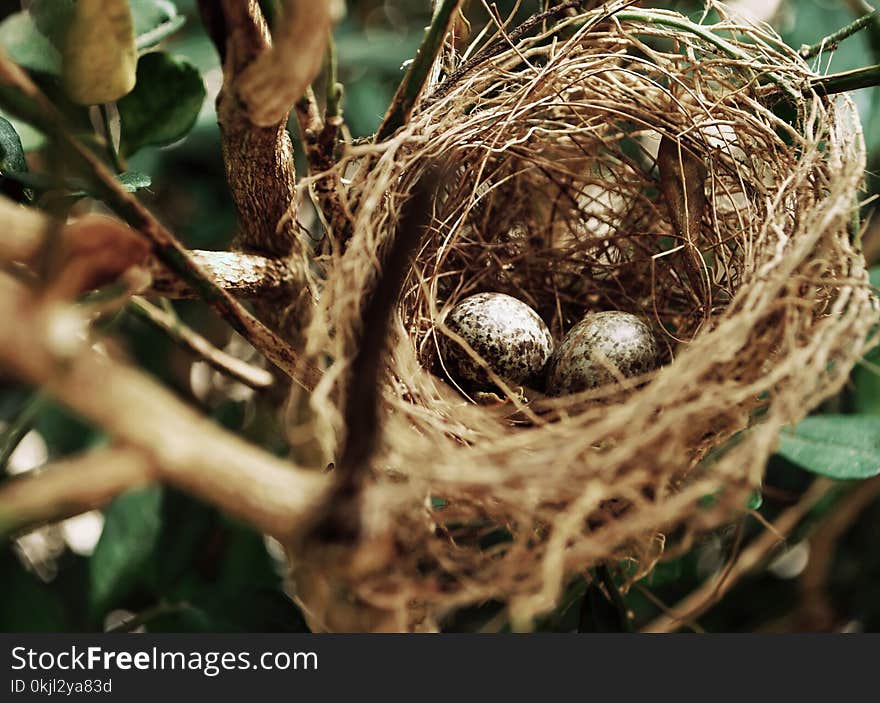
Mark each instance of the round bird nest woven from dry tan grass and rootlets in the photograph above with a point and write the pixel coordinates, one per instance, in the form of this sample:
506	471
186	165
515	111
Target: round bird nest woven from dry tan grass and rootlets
552	193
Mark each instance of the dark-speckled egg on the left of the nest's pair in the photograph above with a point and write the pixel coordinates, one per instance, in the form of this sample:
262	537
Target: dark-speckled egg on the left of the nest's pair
505	332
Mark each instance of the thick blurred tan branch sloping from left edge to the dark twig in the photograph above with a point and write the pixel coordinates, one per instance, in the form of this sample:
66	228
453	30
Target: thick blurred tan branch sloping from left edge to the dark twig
188	450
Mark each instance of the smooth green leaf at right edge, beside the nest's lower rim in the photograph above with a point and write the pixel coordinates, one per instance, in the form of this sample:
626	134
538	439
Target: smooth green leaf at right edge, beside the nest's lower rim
837	446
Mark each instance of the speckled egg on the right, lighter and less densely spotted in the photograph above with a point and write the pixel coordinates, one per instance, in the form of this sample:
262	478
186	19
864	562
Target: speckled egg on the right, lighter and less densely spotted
622	339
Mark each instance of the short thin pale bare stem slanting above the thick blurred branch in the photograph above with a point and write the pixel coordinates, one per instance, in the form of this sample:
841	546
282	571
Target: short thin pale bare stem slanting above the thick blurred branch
192	341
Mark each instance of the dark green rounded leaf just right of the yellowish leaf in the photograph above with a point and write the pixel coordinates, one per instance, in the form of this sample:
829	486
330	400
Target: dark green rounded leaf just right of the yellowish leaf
164	105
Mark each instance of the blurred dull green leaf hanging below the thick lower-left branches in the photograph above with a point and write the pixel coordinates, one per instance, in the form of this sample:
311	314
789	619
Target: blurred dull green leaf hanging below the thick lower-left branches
122	558
